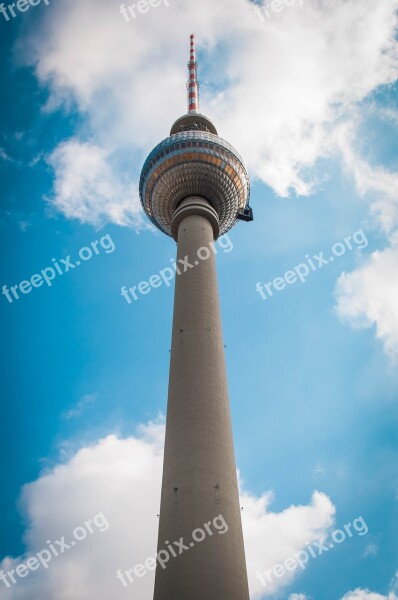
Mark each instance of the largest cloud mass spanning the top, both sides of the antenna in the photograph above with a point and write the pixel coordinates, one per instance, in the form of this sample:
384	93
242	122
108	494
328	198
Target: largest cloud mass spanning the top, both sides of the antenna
285	81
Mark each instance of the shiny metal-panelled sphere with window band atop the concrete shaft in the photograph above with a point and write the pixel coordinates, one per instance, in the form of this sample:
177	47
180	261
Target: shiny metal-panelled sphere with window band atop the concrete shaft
193	162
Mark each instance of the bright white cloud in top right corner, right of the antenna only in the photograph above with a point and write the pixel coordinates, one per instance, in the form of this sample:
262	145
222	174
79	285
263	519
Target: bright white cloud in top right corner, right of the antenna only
311	74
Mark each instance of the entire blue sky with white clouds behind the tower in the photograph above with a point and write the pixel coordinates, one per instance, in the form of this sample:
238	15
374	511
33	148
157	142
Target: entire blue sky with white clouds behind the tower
307	92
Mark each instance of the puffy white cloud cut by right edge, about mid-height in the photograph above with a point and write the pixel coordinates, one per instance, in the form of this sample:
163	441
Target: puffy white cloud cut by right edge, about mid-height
369	297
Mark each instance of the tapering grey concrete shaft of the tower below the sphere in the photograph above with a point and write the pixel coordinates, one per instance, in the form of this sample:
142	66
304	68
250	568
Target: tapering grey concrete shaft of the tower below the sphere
199	473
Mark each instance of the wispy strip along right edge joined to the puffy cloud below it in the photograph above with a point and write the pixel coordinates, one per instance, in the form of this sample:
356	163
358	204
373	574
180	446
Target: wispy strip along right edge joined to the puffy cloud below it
368	296
